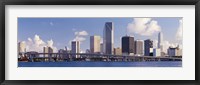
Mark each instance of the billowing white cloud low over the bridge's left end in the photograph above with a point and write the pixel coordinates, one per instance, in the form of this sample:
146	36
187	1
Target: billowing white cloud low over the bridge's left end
37	44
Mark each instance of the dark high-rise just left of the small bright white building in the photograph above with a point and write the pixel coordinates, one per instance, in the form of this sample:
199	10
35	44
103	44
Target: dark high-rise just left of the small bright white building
148	45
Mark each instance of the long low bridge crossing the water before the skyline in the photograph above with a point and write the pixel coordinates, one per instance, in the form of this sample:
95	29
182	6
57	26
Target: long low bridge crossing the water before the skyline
44	57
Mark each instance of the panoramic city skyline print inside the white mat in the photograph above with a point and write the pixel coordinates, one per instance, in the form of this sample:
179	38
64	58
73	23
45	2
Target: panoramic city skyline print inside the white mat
107	46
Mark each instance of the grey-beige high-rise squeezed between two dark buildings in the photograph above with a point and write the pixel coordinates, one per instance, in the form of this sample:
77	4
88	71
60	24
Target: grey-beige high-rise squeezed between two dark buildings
139	47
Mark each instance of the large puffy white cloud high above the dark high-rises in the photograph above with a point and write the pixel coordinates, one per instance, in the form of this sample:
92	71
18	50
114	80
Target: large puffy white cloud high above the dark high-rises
143	26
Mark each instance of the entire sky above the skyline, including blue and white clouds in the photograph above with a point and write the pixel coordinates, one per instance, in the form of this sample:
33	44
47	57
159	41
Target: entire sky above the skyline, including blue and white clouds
59	32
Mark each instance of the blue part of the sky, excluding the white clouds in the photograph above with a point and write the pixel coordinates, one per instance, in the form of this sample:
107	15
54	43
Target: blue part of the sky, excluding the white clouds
62	30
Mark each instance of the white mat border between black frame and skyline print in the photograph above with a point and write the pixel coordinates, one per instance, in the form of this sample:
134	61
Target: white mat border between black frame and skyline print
186	72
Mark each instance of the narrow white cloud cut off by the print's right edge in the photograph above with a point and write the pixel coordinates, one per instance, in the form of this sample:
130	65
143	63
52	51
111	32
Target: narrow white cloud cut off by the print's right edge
179	31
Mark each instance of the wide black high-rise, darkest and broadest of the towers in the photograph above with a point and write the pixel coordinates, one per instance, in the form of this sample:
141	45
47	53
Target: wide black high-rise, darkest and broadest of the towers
127	45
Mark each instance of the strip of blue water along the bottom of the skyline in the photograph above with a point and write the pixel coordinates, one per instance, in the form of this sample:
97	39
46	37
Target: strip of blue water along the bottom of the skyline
102	64
